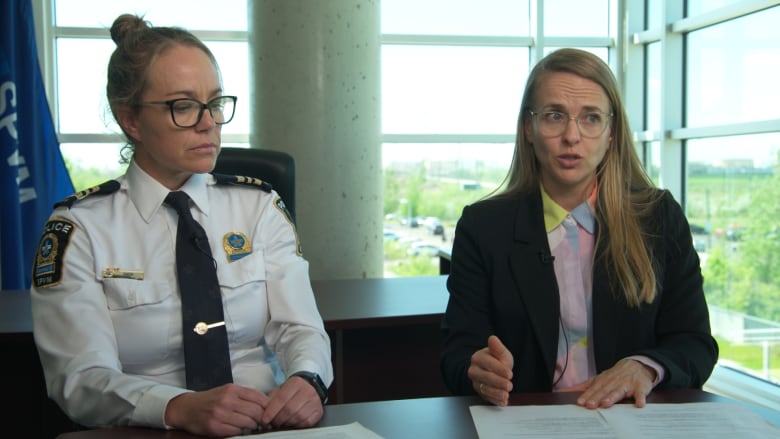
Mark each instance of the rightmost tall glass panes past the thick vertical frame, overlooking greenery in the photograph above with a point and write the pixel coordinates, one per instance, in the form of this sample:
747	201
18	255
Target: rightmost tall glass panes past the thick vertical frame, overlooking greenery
733	185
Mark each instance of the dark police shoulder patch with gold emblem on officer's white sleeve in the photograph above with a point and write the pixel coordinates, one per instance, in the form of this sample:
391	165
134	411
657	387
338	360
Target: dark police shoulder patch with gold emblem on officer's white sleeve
47	269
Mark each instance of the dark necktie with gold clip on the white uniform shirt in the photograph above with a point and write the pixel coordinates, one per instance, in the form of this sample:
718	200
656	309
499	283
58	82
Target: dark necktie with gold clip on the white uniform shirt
206	354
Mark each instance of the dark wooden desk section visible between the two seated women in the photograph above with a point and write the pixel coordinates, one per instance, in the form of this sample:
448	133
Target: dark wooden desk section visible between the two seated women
378	327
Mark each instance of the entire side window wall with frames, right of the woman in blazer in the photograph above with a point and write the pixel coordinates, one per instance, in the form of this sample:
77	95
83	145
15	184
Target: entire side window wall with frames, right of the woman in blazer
711	133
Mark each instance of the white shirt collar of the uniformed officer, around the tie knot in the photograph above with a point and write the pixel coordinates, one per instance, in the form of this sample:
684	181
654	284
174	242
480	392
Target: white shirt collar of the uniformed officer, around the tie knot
147	194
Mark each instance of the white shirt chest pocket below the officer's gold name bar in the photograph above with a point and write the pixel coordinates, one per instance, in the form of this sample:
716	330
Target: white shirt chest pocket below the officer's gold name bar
143	314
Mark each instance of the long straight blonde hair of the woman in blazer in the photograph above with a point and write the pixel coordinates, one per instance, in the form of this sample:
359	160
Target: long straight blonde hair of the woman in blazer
626	195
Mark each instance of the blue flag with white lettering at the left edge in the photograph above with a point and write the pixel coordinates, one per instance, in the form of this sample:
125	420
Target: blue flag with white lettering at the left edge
32	170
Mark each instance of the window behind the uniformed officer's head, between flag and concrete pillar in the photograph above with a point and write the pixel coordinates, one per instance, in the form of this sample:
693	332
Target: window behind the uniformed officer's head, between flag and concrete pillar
90	138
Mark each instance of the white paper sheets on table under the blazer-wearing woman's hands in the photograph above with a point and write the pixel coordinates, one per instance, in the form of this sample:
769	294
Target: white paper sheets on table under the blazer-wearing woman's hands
684	421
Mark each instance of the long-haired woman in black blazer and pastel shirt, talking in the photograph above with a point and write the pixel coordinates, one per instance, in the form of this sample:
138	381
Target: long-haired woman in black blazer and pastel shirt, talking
580	275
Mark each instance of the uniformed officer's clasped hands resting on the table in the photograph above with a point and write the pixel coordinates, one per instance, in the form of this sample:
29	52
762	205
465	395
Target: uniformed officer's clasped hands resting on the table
231	410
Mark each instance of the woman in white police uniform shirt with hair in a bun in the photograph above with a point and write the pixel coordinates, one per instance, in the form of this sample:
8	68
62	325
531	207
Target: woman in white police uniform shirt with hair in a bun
106	300
